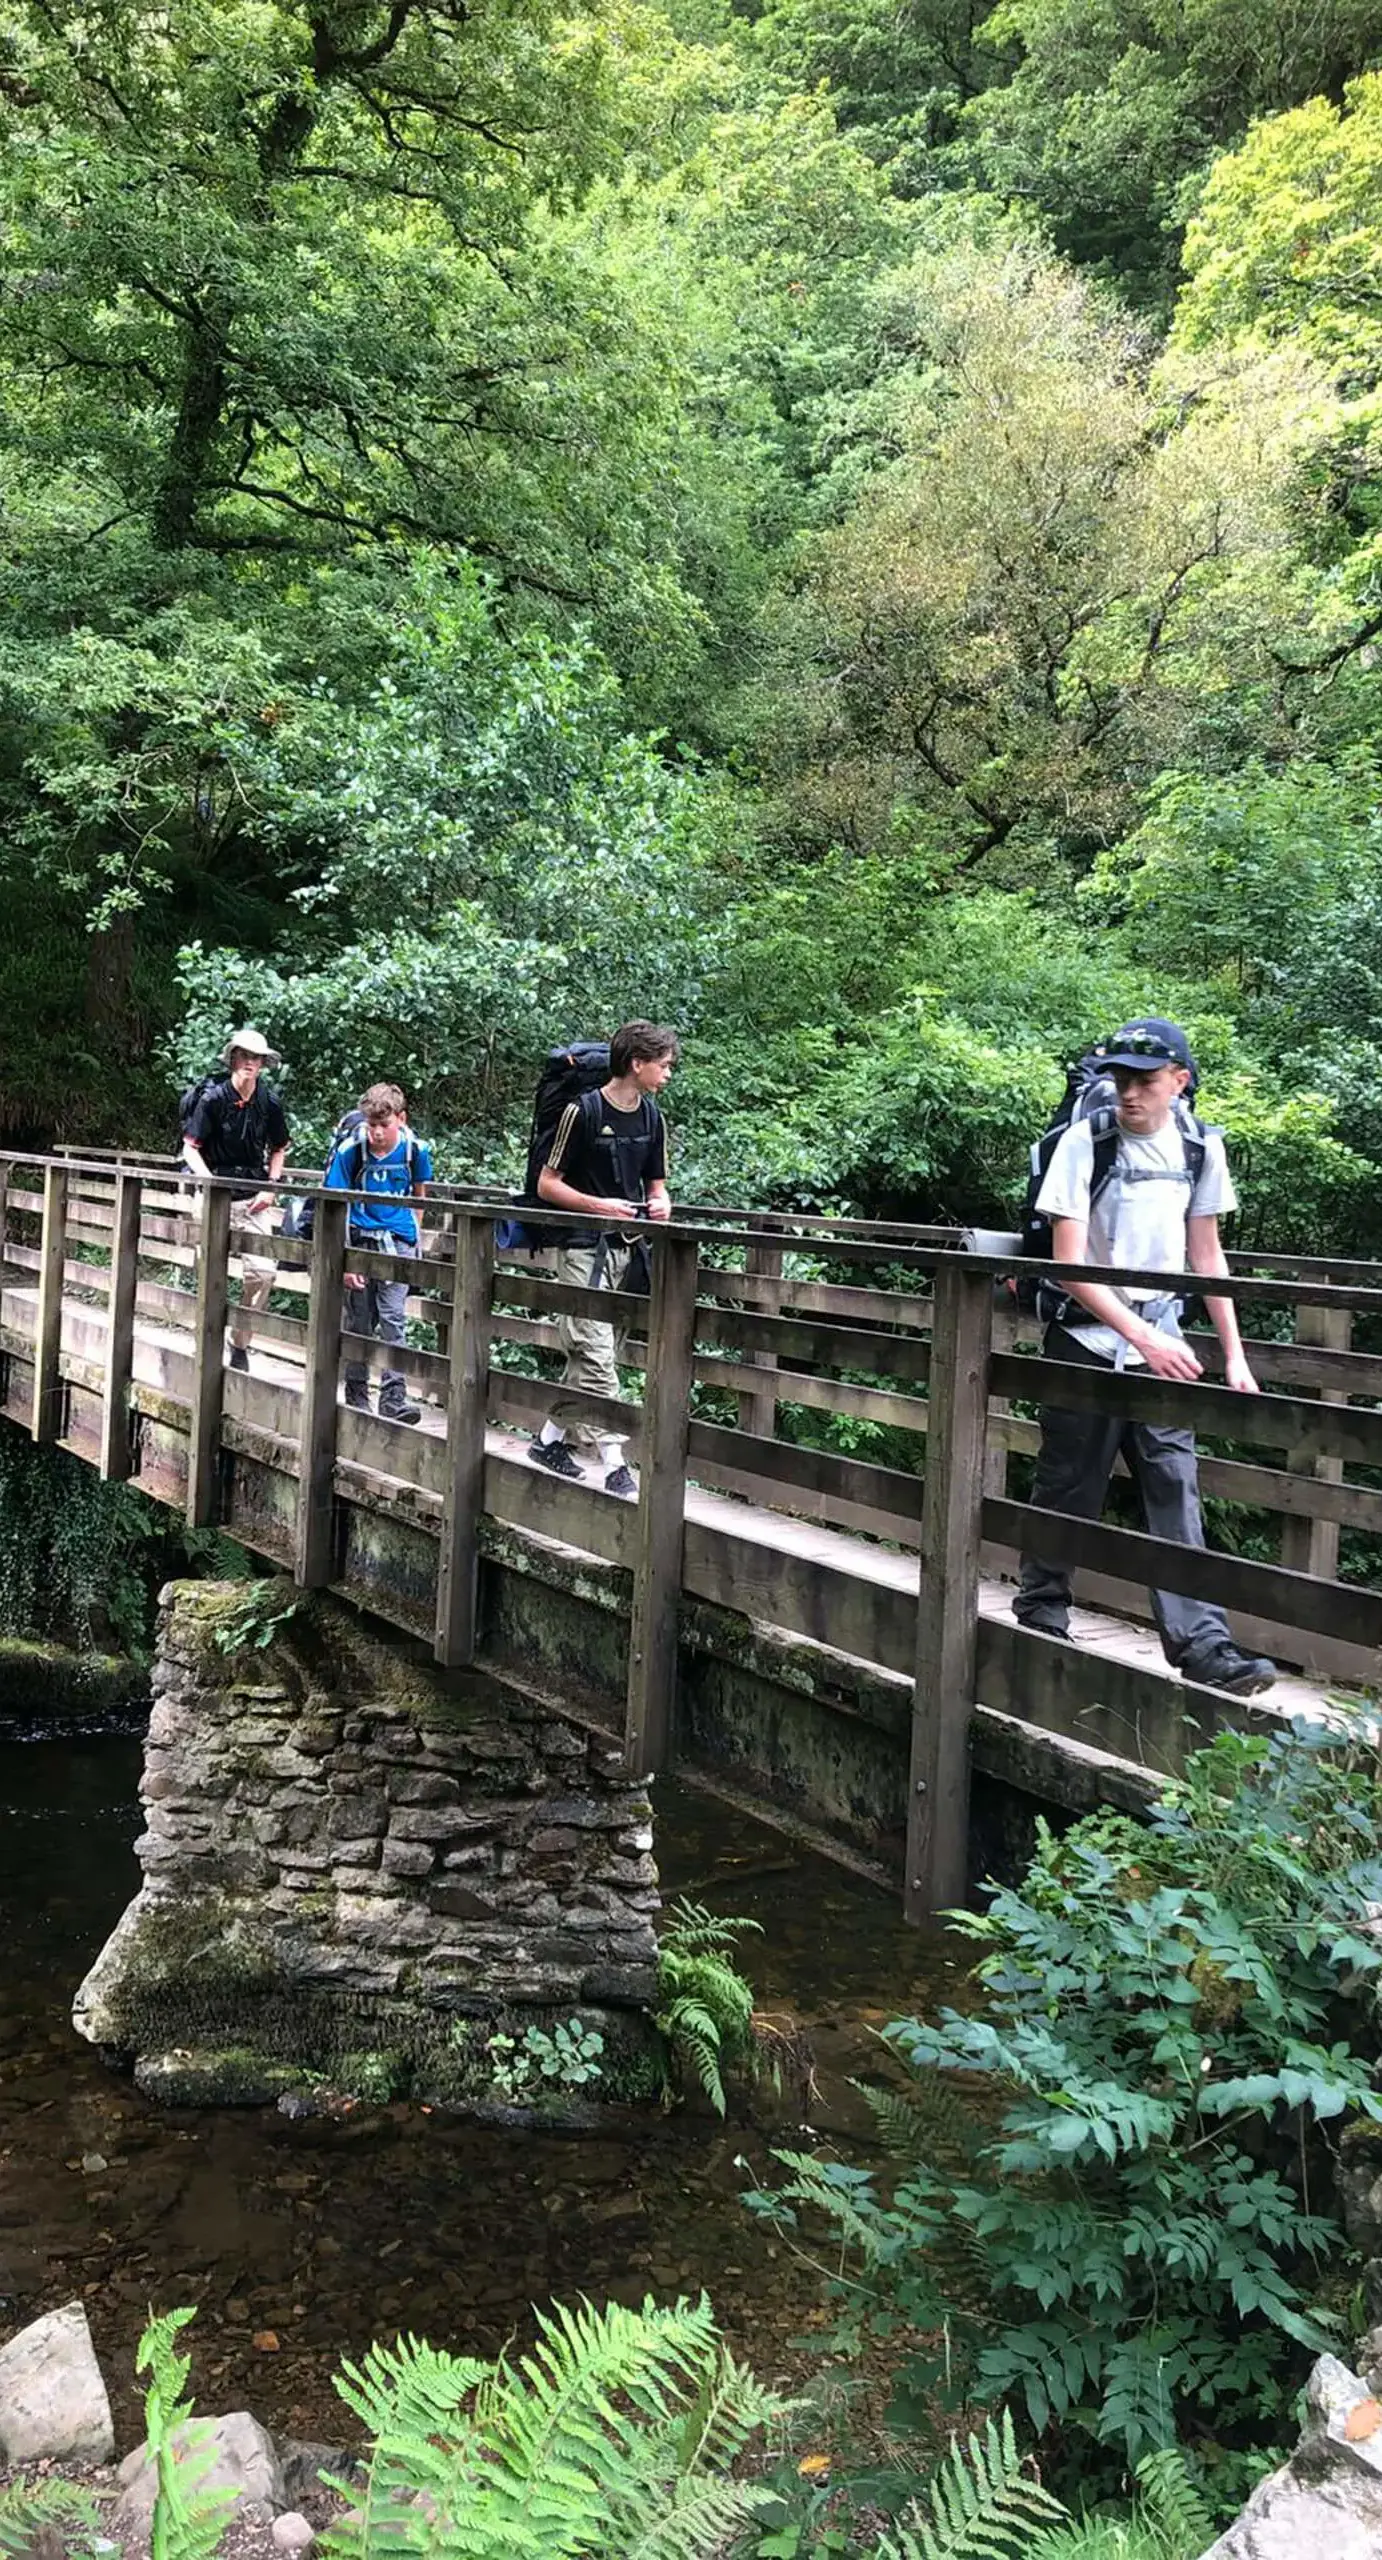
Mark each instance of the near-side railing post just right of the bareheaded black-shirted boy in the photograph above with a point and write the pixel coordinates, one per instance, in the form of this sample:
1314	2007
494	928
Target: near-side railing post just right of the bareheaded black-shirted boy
662	1504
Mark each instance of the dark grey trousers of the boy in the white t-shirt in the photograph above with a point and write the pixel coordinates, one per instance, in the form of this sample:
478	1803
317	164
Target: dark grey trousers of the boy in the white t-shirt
1074	1471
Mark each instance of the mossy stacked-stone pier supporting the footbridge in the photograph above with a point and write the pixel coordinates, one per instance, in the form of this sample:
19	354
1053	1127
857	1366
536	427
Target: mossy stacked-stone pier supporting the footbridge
365	1875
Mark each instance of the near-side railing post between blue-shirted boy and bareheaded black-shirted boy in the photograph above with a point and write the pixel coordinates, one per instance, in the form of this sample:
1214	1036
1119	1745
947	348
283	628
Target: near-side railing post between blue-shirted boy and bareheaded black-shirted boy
467	1412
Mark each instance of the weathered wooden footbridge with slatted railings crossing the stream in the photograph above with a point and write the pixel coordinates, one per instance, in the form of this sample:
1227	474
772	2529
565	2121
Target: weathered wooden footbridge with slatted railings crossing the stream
114	1307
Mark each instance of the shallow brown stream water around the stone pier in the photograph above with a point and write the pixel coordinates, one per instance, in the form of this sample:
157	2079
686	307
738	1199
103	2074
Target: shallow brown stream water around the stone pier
329	2234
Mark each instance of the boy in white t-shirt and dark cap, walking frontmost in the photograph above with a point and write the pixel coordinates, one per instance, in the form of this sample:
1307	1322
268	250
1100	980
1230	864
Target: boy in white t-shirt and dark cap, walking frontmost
1153	1215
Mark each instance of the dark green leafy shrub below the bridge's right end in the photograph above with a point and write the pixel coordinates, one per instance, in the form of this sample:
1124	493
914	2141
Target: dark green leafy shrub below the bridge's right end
1115	2203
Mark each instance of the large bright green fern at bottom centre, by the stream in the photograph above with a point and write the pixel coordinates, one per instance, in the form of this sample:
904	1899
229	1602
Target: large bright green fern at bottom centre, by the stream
613	2436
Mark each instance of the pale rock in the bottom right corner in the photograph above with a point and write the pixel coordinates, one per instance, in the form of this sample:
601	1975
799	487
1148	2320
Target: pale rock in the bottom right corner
1330	2495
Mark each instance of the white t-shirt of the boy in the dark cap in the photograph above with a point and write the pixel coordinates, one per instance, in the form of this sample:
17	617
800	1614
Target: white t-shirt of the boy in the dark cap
1140	1215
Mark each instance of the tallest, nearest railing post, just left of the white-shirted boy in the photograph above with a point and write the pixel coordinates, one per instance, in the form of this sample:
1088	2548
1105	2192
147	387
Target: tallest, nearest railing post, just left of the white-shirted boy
938	1809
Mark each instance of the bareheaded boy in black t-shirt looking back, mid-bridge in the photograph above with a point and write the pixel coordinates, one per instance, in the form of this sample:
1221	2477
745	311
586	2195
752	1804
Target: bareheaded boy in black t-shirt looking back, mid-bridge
610	1158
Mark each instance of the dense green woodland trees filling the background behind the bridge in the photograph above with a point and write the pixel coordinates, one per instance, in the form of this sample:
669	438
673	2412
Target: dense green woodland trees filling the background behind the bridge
859	539
